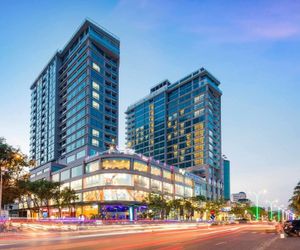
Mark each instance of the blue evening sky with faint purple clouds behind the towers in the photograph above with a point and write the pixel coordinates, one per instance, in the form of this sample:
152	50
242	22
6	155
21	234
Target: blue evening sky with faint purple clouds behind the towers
252	47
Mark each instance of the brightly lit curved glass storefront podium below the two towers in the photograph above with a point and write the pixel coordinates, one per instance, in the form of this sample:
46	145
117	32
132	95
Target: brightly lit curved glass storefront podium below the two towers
114	185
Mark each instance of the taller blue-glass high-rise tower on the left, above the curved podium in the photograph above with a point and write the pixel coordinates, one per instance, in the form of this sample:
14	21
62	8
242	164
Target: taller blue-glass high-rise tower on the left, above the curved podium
74	100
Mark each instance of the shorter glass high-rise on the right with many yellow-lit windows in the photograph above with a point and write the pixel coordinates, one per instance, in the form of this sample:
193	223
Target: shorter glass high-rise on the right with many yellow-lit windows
180	124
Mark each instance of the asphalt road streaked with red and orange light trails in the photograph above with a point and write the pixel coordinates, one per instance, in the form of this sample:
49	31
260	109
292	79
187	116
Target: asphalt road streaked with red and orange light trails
226	238
